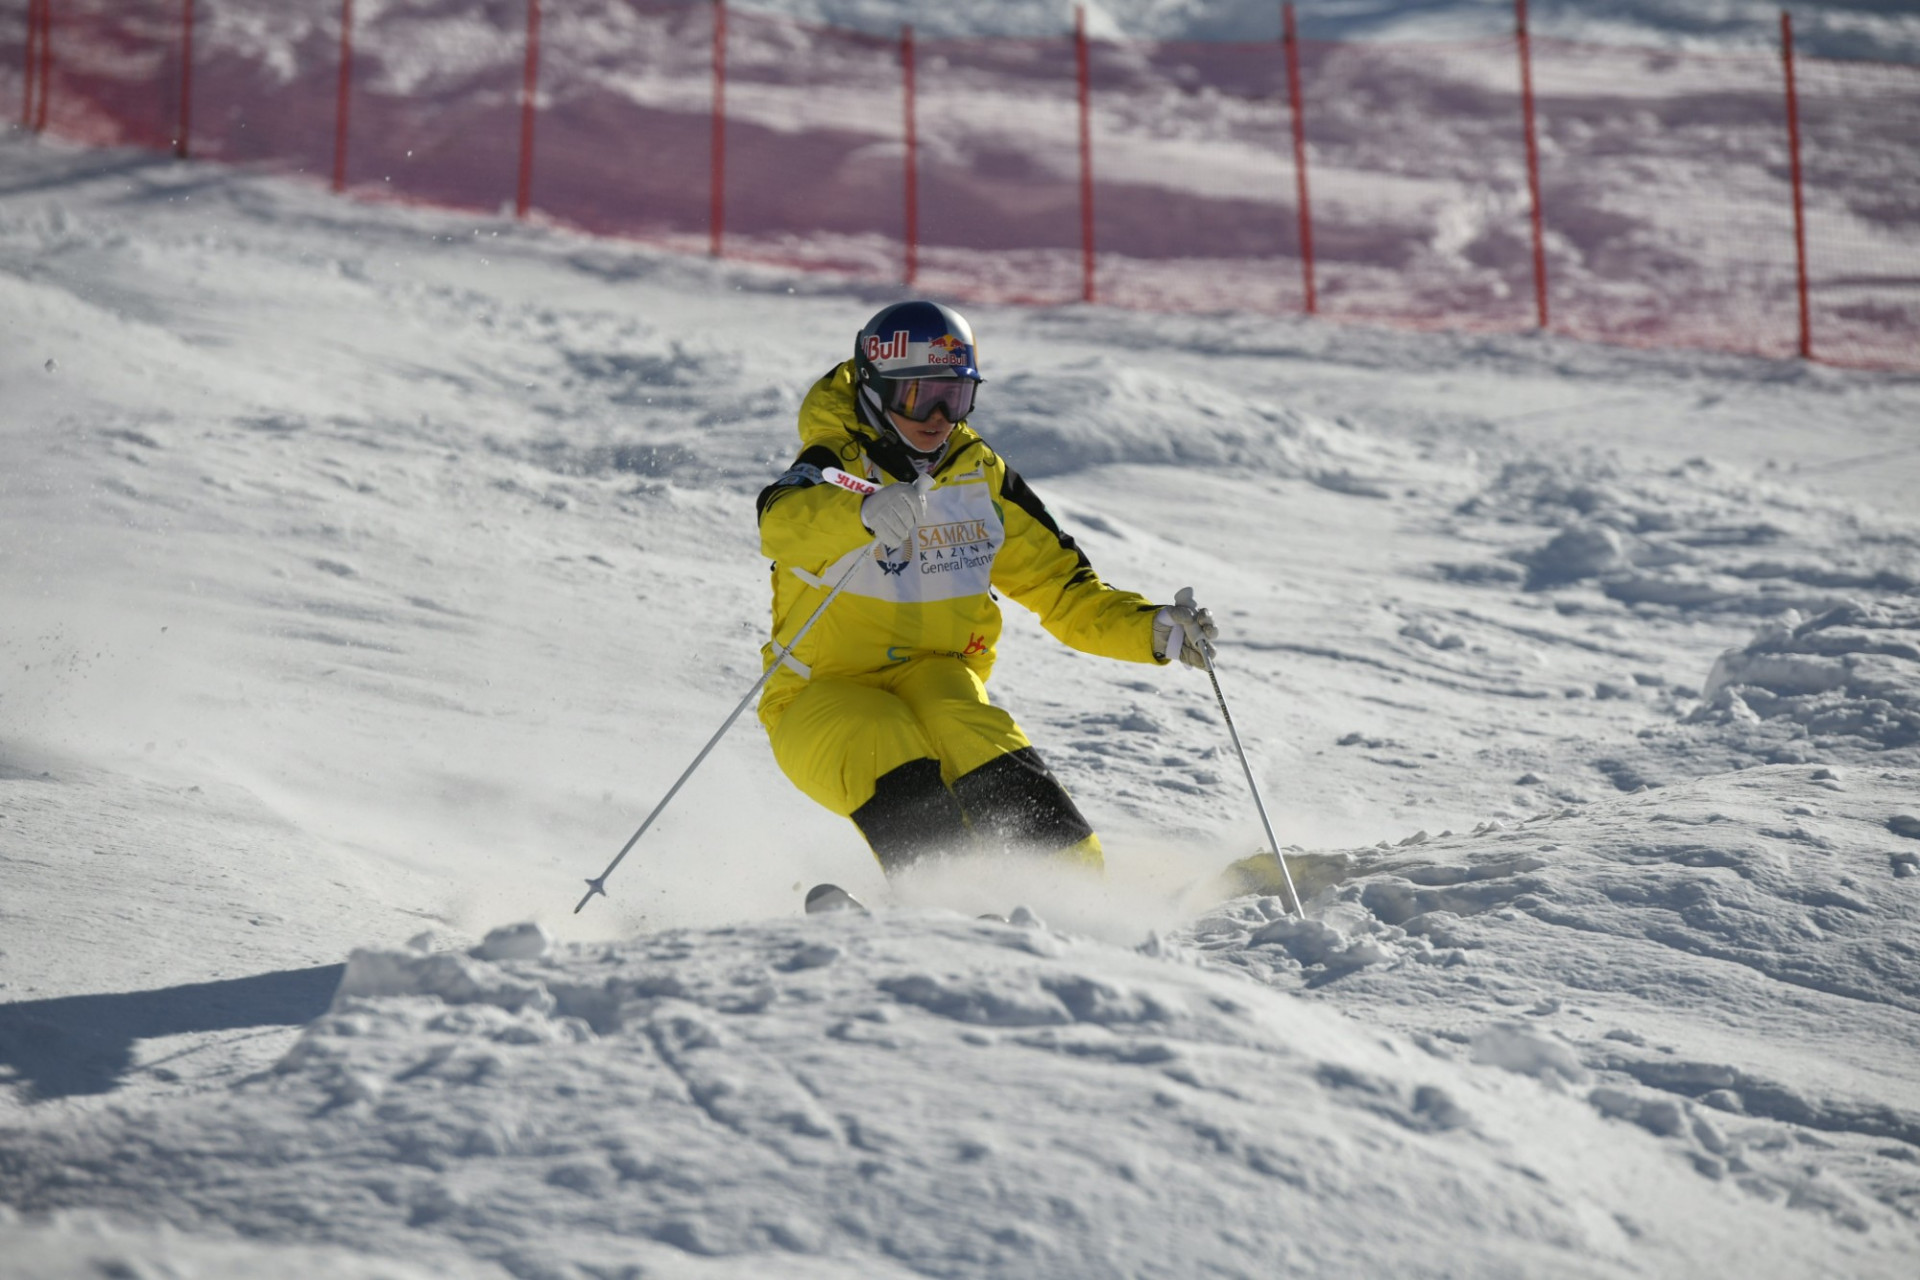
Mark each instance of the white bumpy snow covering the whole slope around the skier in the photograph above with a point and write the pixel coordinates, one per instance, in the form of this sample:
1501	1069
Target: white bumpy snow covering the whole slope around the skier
370	573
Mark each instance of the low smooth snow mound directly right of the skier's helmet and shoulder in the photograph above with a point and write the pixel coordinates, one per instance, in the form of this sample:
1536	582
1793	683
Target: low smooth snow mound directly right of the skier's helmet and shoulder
1105	412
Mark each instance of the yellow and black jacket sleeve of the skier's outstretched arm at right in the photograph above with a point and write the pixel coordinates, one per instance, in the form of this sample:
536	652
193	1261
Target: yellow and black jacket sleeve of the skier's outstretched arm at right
1047	573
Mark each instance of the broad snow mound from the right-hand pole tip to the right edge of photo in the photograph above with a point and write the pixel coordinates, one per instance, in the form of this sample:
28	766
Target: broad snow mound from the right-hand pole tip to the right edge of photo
1785	870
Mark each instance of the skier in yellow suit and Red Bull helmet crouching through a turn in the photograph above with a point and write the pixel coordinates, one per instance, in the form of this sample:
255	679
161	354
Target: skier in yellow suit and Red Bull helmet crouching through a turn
880	713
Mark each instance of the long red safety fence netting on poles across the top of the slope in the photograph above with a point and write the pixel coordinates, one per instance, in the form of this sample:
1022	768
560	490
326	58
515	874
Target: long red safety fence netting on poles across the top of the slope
1166	179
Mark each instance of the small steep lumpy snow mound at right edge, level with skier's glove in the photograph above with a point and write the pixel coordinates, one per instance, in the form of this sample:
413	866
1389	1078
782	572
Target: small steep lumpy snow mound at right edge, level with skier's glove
1850	675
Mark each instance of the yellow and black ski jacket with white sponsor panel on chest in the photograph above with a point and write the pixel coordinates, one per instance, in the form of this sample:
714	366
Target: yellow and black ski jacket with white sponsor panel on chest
984	533
